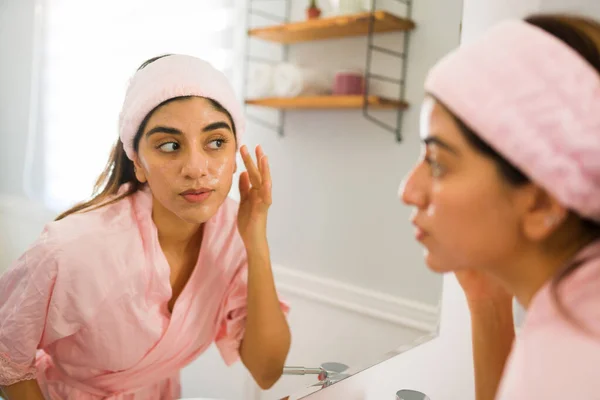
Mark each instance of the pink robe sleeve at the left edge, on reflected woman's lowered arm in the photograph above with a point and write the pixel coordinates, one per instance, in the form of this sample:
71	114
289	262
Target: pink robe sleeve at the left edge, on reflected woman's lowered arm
31	314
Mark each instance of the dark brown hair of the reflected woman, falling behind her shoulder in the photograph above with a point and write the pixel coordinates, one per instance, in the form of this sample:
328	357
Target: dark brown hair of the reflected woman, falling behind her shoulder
119	169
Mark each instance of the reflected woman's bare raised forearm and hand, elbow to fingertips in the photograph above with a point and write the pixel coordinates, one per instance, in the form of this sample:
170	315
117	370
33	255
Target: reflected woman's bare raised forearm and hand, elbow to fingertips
266	341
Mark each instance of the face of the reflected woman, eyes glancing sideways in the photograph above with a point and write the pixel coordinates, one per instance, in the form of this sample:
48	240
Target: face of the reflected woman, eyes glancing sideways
187	156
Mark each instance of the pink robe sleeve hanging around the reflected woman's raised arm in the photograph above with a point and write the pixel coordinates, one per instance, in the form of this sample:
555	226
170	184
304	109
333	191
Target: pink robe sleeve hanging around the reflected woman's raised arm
233	316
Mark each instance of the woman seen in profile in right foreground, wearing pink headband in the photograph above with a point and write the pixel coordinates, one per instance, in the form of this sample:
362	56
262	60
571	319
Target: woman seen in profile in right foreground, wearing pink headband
507	196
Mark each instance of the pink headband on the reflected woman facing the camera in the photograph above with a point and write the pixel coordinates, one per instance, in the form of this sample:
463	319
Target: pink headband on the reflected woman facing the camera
169	77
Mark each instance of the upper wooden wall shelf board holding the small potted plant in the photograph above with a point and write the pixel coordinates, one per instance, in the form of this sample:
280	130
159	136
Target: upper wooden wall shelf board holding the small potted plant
333	27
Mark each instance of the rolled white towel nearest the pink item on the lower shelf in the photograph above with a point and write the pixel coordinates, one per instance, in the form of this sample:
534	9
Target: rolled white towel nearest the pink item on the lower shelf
290	80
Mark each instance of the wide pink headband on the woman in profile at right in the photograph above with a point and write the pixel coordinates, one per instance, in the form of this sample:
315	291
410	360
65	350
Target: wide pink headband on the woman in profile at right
535	101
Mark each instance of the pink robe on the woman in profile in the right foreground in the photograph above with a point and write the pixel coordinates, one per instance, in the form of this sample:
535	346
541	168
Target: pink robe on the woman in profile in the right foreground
552	358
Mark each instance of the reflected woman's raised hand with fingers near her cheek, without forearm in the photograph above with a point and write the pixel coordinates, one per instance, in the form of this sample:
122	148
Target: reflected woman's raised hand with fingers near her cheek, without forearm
255	198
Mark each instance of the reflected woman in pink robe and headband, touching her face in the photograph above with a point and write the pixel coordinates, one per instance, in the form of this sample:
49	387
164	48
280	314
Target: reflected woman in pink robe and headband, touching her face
123	291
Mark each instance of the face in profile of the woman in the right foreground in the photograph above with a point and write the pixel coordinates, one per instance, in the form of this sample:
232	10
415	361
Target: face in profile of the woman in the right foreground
464	210
